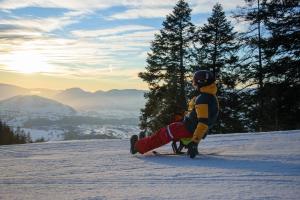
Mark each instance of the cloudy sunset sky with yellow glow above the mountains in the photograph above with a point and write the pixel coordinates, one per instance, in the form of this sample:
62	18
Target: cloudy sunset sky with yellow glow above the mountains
91	44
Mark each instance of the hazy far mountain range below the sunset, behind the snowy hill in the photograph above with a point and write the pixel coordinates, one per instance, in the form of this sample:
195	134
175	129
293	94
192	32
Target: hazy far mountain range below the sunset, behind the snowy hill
112	101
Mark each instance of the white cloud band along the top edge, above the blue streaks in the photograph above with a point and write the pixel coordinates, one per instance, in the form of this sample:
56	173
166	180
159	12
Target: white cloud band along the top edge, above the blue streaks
134	8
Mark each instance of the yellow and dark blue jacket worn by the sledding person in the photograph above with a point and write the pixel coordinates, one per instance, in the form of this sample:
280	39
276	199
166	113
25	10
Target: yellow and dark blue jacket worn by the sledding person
203	112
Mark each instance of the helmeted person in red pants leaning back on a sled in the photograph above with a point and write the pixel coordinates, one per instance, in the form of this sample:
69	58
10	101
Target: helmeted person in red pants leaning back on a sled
202	114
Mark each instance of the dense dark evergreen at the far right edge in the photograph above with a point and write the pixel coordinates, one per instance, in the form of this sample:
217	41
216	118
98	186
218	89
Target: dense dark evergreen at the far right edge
282	92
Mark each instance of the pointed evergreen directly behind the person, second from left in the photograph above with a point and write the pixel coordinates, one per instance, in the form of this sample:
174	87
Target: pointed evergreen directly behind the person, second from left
217	50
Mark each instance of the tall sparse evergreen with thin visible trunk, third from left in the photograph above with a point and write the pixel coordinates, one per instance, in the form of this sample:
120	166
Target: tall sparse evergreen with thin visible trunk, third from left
253	69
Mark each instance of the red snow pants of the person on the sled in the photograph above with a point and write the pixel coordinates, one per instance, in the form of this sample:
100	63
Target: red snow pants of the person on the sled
174	131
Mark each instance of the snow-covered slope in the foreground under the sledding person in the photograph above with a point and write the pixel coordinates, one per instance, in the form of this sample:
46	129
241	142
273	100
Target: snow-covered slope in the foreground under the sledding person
238	166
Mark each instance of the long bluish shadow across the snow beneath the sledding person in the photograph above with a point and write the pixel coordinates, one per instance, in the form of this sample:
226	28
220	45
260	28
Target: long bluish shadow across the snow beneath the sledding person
231	162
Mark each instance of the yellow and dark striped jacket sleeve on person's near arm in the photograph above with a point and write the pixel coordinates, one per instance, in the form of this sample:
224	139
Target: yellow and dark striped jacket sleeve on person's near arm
202	110
